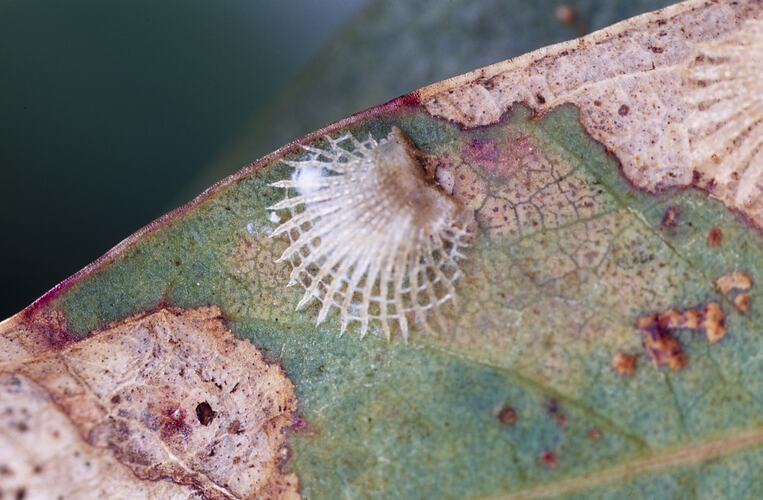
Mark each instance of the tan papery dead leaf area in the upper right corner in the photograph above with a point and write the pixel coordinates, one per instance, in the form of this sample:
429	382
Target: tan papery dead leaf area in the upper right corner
677	106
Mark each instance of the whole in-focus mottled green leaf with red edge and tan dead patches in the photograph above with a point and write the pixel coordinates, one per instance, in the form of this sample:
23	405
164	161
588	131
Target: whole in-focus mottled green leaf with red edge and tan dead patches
606	337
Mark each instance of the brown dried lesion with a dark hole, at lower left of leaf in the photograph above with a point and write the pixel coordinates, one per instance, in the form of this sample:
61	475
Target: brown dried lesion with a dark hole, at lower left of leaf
160	391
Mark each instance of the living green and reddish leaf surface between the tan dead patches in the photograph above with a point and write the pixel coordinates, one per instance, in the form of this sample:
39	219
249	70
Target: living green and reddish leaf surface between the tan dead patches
517	396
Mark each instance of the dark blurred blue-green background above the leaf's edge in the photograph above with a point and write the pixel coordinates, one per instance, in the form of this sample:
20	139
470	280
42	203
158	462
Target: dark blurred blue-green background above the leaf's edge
112	113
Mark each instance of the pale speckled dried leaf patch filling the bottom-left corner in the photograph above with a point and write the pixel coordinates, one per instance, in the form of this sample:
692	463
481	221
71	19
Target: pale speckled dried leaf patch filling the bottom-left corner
42	455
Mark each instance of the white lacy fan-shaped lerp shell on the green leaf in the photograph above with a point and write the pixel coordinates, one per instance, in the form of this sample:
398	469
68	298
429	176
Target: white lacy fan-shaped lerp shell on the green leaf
371	233
